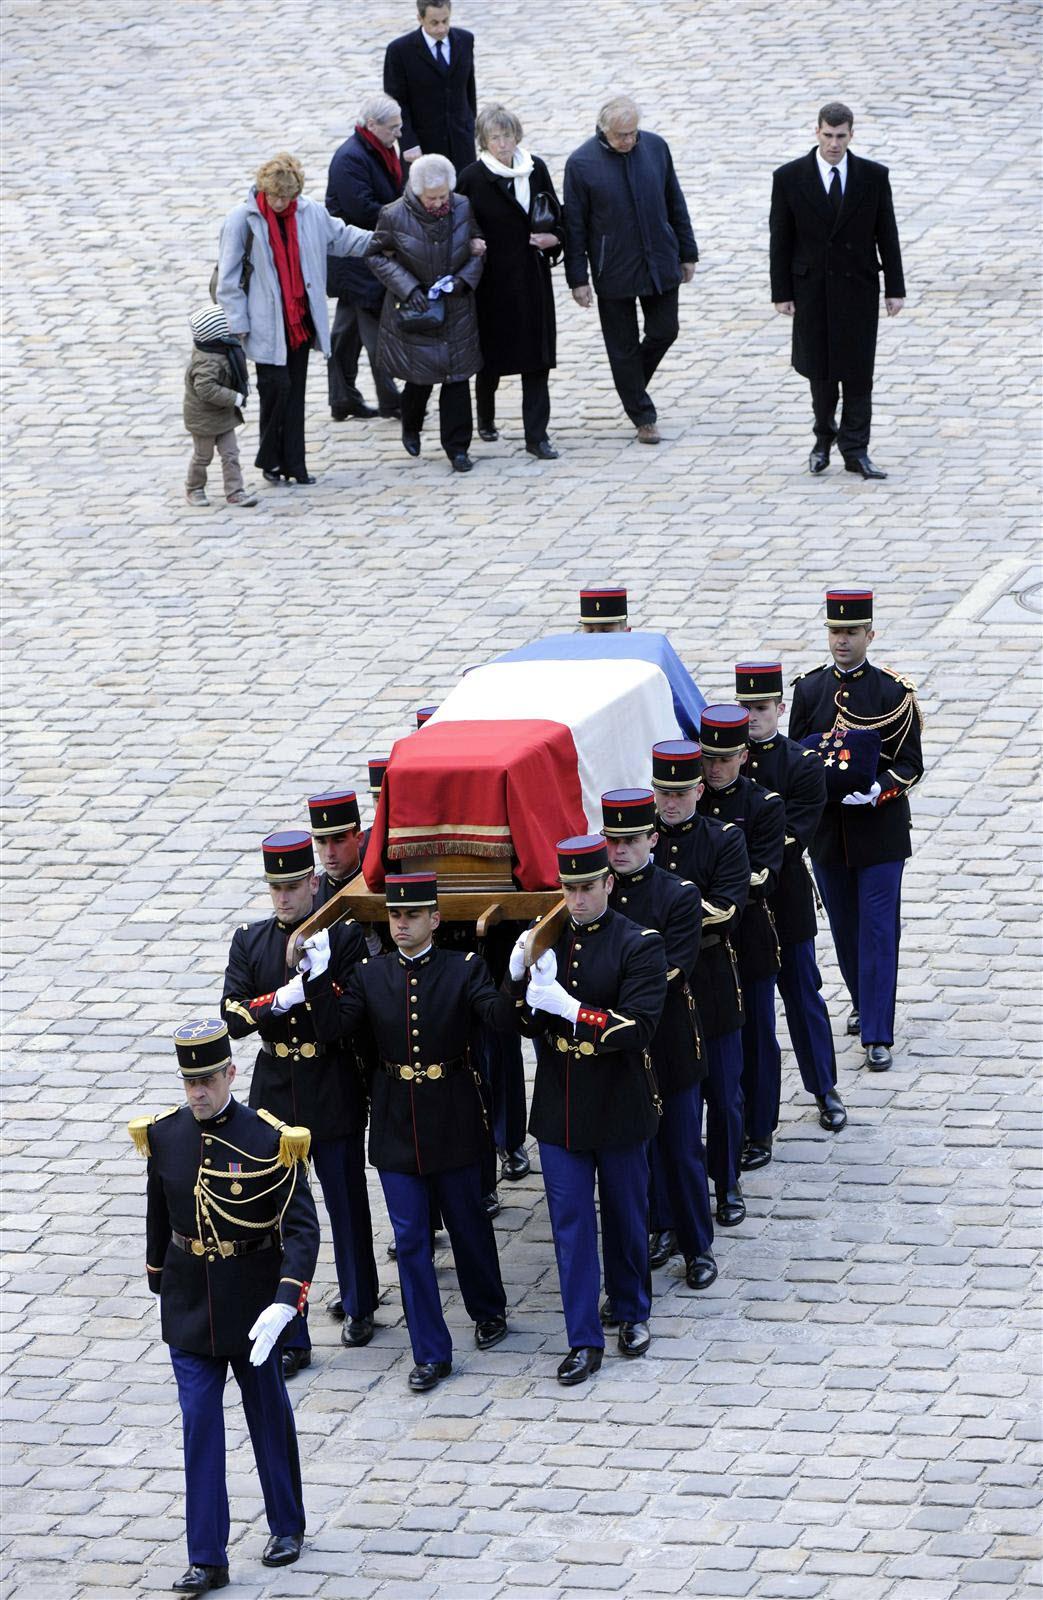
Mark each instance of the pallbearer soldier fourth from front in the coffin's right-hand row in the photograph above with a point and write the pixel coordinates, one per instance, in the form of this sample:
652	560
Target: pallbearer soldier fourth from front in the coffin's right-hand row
730	798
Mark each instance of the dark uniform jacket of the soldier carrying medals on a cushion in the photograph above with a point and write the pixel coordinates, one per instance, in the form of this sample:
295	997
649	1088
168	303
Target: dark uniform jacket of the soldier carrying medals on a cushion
865	836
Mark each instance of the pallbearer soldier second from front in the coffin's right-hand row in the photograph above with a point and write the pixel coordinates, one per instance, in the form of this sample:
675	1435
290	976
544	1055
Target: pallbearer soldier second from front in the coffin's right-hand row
655	898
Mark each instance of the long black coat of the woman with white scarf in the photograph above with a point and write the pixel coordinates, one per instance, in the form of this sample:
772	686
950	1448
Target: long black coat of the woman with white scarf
516	297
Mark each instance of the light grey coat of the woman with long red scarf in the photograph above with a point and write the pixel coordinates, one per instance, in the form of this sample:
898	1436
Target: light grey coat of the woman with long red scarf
258	316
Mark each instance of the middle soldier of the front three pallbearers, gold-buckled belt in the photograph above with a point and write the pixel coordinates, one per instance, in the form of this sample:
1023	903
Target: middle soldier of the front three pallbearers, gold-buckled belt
428	1127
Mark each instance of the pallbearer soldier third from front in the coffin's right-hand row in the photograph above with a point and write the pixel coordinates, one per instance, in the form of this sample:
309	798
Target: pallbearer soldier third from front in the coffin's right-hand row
714	858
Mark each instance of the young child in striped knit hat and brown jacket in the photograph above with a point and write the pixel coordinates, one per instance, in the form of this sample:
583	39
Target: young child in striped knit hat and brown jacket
215	388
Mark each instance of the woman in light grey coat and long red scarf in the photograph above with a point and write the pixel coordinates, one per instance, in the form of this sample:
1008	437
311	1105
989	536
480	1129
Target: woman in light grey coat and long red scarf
273	287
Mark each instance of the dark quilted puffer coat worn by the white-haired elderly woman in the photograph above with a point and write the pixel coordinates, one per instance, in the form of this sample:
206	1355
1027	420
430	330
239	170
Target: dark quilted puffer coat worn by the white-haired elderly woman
410	252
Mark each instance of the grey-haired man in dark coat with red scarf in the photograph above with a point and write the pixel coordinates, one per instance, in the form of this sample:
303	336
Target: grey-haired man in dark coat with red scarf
366	175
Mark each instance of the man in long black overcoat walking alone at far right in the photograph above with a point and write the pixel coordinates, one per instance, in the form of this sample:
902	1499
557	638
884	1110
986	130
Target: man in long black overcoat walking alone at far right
833	233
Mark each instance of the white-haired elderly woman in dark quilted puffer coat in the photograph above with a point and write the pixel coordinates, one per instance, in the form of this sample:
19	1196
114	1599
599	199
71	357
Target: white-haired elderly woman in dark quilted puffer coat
425	241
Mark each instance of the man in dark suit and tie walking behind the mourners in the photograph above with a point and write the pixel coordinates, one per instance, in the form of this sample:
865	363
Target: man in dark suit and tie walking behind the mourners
431	73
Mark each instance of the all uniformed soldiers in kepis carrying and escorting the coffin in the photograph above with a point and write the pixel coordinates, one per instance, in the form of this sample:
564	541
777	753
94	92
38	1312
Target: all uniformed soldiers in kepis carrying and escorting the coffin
655	1001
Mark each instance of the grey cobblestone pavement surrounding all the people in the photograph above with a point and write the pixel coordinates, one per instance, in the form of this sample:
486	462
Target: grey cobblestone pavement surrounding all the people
852	1412
